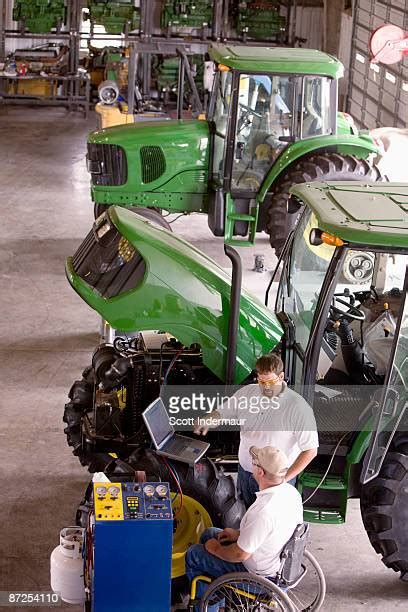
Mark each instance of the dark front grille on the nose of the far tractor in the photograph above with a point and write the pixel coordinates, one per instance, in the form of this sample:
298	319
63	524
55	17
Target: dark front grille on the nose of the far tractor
107	164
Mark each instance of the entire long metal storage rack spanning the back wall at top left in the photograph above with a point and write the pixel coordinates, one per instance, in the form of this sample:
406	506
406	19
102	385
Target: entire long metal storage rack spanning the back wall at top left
143	43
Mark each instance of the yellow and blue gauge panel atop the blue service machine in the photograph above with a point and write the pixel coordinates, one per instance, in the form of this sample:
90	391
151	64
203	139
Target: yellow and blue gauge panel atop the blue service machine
132	501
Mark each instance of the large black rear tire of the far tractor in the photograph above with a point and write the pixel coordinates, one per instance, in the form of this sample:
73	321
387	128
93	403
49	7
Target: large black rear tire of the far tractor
318	167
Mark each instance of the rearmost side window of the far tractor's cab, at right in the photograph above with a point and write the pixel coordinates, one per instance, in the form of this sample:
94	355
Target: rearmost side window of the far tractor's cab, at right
316	120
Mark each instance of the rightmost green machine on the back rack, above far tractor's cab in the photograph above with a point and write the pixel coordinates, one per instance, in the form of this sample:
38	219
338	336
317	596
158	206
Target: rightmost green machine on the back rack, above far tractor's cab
260	20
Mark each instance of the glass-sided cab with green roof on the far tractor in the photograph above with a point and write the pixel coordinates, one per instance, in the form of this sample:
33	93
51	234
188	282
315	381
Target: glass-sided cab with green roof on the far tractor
258	107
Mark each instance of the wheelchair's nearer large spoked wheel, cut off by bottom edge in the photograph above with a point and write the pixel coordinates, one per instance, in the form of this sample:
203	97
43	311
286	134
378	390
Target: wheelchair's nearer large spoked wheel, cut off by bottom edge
244	592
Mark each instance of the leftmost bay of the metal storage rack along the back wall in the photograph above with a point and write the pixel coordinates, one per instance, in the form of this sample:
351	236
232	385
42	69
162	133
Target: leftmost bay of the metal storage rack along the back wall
71	90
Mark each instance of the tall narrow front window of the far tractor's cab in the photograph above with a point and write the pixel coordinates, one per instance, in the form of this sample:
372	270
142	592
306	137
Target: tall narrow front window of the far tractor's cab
222	93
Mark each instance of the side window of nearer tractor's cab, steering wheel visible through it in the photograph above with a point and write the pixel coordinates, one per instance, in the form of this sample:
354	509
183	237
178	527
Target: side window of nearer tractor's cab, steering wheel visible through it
363	318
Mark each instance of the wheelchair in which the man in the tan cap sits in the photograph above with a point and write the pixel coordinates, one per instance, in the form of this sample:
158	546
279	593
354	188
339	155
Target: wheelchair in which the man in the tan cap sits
299	584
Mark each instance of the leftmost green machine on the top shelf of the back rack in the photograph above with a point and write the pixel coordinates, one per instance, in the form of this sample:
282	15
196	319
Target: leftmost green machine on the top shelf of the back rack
40	16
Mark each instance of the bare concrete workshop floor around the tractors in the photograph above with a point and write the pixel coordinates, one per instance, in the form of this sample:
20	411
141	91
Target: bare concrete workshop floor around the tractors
47	335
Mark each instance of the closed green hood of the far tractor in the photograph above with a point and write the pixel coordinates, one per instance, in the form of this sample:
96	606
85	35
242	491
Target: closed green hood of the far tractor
150	163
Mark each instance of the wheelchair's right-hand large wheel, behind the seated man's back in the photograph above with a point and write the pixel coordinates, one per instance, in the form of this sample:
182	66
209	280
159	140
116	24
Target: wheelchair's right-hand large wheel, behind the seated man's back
309	593
